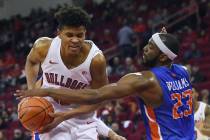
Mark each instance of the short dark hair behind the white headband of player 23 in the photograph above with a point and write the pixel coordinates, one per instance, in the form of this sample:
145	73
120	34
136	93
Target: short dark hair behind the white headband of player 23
171	42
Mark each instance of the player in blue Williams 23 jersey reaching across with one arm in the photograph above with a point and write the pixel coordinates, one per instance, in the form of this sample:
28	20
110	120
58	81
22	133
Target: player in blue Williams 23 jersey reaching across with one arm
163	91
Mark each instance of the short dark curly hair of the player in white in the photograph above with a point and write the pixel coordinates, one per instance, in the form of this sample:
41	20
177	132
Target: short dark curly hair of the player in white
72	16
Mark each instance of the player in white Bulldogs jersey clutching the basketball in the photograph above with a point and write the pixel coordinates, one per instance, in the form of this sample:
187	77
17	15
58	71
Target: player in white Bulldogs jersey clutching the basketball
70	61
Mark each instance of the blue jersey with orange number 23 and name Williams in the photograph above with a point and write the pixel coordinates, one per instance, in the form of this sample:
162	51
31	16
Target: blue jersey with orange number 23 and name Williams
173	119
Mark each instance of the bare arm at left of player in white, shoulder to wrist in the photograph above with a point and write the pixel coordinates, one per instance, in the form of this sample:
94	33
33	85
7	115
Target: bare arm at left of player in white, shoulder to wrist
34	59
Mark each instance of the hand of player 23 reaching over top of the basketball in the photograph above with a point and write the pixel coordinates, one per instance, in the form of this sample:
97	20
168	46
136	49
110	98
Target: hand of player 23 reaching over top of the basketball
20	94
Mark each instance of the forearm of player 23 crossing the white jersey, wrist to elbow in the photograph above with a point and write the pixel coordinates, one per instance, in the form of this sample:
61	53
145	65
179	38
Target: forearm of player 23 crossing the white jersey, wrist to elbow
89	96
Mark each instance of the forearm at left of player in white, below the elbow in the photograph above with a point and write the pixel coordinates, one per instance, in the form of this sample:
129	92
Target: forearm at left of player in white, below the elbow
31	74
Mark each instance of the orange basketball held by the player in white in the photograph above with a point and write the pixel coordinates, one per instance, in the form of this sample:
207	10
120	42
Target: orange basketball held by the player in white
33	113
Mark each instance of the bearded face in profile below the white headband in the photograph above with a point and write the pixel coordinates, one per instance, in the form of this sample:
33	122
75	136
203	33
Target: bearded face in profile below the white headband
151	54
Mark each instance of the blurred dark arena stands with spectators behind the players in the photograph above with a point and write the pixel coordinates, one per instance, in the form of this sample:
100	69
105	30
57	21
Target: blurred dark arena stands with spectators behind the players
120	28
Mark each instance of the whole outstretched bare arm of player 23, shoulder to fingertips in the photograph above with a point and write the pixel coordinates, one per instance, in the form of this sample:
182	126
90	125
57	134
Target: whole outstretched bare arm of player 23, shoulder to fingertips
126	86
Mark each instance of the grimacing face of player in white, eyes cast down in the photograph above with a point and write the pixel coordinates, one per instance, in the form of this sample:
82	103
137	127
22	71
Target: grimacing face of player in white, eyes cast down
72	39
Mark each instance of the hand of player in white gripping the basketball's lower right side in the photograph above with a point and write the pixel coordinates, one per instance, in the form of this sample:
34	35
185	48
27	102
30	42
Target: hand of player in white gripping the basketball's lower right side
58	118
